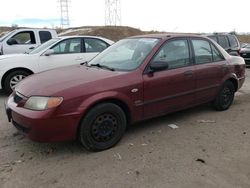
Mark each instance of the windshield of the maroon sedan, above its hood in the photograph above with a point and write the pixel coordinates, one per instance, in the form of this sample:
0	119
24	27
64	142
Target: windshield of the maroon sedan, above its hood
125	55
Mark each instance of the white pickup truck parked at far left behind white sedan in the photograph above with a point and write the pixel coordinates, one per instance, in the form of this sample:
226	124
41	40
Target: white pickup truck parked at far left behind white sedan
24	40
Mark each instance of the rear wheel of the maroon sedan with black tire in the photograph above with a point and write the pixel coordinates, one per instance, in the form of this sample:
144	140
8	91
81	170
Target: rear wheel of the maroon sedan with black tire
225	97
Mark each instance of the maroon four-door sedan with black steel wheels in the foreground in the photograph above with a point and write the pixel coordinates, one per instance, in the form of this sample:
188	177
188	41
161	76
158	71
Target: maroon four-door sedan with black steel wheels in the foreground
135	79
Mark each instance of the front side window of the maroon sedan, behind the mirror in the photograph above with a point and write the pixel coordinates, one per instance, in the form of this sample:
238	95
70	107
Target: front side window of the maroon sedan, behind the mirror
175	53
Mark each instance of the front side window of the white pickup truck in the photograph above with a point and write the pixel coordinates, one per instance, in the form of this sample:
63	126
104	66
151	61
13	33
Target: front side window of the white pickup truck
25	37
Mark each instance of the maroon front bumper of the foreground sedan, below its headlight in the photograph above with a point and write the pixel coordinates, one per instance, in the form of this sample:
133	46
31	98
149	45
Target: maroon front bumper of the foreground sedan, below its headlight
43	126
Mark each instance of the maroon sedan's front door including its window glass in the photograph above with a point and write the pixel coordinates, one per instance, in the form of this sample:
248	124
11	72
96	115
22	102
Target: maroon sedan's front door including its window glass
173	88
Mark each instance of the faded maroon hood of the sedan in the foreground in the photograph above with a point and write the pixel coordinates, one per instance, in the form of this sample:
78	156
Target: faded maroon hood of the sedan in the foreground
62	81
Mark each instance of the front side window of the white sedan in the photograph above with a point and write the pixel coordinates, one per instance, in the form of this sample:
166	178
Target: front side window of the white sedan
68	46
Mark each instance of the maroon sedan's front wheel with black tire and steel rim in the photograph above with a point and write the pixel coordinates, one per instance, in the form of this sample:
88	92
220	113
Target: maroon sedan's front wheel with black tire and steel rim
102	127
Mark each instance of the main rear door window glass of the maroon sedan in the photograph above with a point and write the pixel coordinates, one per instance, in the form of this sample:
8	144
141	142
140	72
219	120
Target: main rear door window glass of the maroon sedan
202	51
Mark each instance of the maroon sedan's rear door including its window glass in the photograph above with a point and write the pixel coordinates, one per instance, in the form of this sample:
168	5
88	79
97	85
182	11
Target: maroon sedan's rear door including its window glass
210	68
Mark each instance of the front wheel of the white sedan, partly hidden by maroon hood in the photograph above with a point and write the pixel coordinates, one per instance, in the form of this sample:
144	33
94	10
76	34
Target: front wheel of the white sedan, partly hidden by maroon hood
8	82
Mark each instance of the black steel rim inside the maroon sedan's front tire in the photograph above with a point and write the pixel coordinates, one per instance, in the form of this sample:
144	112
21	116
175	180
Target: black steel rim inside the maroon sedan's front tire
104	127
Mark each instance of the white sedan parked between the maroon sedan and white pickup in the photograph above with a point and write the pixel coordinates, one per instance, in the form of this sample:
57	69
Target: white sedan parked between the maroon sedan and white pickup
57	52
